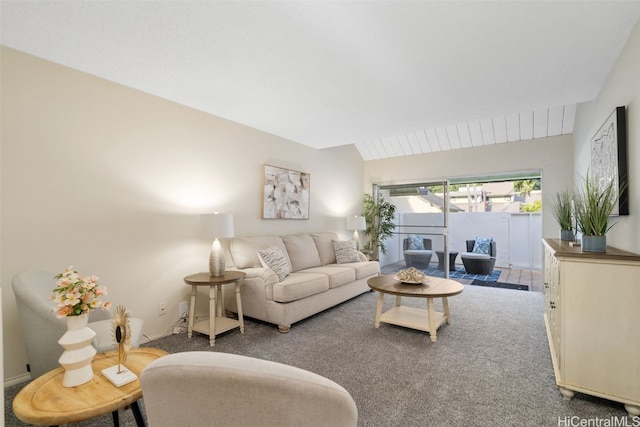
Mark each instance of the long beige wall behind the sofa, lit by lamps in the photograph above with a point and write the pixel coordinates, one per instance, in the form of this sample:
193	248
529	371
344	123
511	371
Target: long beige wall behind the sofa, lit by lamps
113	180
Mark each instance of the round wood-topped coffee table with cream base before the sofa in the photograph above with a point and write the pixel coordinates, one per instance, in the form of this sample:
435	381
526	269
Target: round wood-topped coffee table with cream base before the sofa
427	320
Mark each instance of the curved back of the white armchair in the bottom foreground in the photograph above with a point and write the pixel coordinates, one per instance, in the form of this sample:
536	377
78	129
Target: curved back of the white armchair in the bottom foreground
205	389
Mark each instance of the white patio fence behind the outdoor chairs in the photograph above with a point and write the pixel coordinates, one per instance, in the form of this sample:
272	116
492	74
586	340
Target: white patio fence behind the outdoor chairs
517	235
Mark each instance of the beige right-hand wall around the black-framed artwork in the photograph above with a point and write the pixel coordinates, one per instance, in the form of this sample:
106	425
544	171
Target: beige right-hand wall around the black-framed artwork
622	88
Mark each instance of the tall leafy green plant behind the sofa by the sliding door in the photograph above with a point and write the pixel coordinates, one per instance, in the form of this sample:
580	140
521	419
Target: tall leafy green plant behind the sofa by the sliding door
379	215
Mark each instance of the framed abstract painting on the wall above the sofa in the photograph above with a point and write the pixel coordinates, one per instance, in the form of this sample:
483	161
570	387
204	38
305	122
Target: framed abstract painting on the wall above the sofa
285	193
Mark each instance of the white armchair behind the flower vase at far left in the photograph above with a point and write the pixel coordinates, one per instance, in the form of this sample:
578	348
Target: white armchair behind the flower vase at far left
42	329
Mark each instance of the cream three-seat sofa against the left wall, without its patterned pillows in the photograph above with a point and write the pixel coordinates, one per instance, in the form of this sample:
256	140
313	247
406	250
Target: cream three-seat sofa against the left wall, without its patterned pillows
316	281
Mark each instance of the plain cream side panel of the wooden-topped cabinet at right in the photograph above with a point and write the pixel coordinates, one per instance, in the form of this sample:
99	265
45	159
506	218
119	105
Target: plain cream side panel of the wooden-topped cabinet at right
601	340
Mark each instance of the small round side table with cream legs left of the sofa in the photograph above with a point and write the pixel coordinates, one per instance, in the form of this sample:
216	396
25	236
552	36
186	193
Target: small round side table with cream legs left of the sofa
217	322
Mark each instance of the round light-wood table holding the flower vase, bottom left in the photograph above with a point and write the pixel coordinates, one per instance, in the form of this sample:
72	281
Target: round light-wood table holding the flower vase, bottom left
45	401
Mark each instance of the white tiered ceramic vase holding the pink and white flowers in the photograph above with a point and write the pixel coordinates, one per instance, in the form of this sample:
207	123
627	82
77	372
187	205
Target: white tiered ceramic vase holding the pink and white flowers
78	351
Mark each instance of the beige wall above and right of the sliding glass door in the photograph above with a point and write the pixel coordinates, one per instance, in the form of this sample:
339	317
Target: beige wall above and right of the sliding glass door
552	156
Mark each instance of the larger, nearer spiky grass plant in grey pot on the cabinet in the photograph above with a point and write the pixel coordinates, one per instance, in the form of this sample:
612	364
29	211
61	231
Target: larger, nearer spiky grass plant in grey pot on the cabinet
594	205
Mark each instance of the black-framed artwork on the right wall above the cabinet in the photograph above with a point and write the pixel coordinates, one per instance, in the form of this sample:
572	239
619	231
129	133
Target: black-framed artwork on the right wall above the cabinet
609	158
